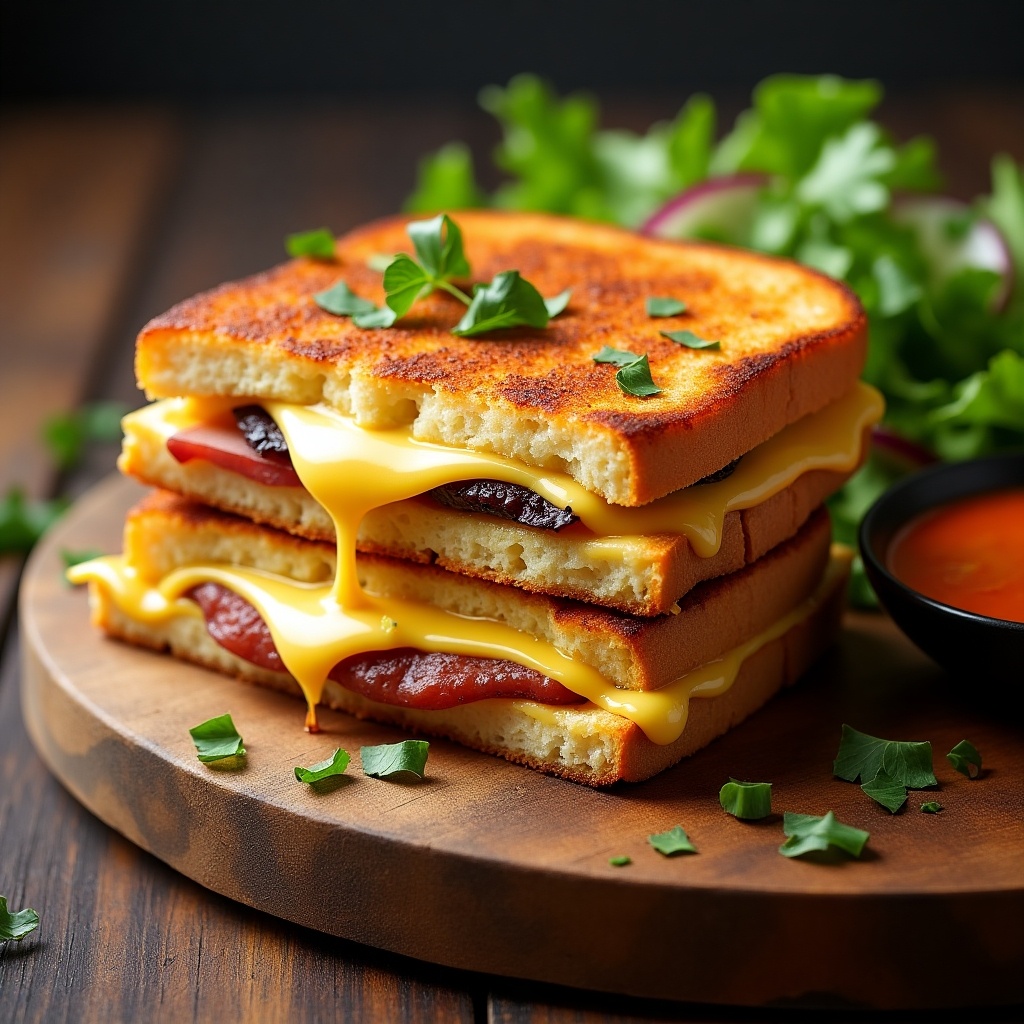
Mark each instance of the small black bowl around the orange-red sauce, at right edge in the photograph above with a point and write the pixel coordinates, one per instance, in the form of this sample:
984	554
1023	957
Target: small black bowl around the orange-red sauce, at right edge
965	643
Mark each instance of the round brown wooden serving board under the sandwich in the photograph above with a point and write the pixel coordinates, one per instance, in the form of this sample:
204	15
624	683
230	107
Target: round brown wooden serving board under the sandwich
494	868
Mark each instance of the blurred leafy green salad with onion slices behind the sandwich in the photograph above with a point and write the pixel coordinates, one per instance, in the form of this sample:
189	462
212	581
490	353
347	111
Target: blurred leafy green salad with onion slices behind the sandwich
829	187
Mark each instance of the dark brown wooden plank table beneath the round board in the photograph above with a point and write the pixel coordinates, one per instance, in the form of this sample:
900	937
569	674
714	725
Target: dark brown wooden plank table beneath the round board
108	217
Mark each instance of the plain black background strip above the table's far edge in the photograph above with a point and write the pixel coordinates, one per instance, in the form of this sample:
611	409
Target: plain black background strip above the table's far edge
198	51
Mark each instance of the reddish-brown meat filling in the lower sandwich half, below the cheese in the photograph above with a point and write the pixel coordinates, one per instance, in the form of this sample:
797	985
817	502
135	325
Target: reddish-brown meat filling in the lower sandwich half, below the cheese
428	681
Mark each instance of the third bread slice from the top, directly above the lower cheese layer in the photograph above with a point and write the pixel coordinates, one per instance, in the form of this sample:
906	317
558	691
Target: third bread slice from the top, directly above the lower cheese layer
164	533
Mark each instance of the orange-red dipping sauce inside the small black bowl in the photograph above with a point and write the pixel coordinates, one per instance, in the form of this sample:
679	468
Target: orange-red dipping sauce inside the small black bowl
969	553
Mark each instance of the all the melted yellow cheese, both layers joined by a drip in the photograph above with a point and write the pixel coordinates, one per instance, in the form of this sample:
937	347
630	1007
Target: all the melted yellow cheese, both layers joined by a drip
343	467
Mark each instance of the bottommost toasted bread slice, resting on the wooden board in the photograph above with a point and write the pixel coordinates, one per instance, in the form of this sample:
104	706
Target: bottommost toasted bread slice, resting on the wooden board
585	744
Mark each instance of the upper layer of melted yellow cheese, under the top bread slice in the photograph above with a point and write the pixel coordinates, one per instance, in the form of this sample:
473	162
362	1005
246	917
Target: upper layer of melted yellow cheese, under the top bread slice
329	452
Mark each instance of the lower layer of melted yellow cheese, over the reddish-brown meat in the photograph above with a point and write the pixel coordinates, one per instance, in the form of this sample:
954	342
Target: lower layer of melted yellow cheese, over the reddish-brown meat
313	633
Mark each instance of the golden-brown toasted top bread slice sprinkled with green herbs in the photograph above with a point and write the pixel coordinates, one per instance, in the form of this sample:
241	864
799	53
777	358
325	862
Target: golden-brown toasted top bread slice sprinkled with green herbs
792	340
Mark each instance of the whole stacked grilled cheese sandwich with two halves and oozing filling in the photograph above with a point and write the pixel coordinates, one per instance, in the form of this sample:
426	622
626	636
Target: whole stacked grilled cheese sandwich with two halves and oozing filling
497	538
